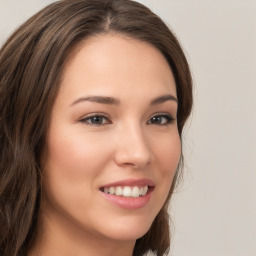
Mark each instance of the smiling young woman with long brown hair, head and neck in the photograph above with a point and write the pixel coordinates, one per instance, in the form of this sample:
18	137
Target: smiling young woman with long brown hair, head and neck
95	94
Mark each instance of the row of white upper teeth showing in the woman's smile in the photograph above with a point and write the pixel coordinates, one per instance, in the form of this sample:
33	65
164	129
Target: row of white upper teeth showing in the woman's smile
127	191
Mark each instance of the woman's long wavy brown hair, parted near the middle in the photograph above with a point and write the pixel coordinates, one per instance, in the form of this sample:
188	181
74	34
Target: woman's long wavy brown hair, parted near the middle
31	66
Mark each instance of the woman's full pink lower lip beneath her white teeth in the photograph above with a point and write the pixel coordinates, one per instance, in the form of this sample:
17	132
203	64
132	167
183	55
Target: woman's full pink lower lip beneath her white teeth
129	203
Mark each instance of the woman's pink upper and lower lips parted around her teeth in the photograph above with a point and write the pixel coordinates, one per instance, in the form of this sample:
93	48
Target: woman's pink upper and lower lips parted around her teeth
130	203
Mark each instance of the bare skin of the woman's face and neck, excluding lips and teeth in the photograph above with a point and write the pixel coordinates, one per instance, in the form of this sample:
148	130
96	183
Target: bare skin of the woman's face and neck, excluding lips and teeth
127	143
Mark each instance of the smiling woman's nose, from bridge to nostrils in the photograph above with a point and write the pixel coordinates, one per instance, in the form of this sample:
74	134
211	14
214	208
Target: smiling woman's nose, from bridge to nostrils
133	148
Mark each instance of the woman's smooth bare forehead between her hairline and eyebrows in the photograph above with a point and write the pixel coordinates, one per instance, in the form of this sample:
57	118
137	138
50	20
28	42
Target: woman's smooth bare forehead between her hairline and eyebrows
114	64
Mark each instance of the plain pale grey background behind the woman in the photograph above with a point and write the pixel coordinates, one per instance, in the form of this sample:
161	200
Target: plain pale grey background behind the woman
214	212
